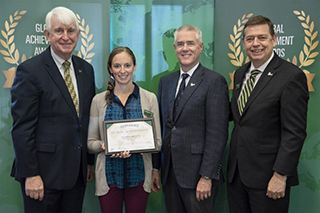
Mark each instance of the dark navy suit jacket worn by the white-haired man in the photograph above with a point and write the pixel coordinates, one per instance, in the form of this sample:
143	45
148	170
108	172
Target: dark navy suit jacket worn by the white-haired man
48	137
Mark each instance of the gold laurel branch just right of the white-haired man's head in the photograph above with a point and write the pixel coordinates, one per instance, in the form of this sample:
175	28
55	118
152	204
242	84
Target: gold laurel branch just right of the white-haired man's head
86	47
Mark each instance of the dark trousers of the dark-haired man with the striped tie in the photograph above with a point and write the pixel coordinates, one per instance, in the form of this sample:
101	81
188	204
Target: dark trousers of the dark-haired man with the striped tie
244	199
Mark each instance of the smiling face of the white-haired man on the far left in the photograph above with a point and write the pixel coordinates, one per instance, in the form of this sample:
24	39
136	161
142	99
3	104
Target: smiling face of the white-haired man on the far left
63	38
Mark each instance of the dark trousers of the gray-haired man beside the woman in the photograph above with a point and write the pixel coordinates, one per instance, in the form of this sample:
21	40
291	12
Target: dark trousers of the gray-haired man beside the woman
178	199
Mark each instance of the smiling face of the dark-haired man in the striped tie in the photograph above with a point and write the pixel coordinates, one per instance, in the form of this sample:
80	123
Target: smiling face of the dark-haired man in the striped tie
258	43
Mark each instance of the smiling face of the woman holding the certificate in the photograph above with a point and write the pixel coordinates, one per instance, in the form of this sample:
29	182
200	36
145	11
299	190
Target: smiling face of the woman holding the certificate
122	68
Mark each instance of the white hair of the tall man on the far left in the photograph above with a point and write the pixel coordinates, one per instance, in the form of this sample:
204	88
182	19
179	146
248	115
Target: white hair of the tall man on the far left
63	15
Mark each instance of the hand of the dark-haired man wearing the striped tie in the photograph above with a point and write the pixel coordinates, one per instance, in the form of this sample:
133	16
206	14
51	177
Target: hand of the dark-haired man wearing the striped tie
277	186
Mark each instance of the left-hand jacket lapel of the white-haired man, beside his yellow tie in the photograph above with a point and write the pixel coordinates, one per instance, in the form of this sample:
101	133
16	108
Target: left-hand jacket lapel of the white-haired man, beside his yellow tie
55	74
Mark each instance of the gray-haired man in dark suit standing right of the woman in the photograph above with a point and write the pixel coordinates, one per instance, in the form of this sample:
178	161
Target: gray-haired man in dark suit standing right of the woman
194	131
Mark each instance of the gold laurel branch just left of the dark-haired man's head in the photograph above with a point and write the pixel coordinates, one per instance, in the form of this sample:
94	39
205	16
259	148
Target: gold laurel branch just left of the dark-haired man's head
237	56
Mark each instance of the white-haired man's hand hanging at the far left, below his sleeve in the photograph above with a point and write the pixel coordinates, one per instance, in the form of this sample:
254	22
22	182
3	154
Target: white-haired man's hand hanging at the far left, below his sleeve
34	187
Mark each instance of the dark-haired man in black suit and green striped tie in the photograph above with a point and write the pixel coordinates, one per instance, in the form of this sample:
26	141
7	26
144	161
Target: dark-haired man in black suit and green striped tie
269	128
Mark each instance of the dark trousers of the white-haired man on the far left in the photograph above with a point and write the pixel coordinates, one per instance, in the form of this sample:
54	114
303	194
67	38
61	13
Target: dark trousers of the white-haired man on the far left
56	200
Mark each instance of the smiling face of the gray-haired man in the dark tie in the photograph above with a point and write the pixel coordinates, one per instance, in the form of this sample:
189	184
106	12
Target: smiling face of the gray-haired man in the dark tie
188	49
